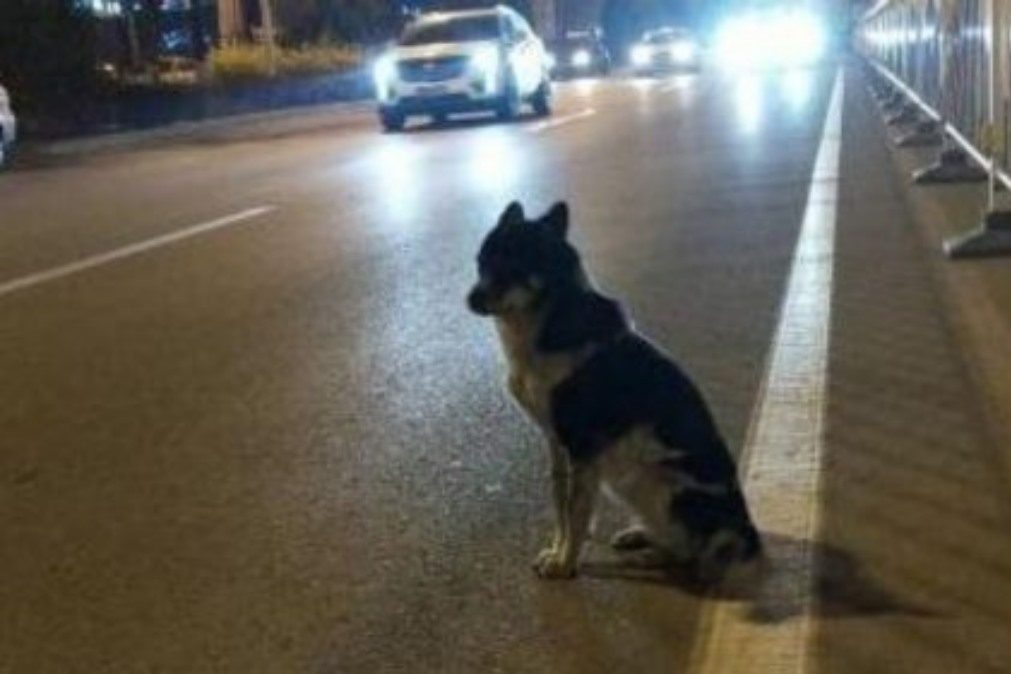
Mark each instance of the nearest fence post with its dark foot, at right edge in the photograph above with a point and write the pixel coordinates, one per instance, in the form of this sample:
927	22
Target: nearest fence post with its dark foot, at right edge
993	238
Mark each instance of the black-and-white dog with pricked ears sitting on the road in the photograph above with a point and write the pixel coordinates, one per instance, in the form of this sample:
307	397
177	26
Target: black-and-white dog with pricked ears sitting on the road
617	413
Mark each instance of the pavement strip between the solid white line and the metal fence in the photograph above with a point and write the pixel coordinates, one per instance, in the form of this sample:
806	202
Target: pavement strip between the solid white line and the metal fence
916	563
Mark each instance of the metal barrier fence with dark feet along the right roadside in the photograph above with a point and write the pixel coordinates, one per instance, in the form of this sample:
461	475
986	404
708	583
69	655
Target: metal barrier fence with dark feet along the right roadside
952	60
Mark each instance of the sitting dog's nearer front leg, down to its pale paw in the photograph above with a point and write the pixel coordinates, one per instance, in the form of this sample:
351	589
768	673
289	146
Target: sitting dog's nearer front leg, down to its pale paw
578	511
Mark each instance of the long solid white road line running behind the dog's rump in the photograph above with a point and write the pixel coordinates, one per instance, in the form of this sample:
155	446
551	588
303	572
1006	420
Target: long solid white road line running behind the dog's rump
783	458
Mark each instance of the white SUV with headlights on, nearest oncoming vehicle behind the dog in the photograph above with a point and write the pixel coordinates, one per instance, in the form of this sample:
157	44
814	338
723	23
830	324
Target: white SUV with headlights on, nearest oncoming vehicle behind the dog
463	62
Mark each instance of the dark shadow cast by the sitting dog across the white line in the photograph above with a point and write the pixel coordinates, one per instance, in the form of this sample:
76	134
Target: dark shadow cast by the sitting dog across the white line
774	587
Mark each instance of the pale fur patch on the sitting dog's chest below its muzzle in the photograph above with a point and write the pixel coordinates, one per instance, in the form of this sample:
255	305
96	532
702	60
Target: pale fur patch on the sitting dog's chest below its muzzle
533	375
